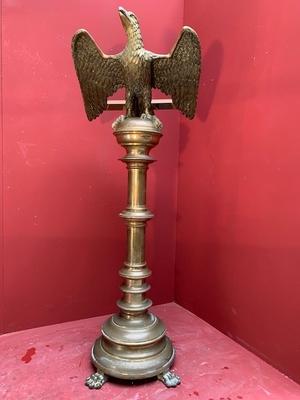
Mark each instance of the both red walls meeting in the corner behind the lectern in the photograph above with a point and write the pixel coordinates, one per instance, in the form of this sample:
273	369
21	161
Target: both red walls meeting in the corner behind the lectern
238	250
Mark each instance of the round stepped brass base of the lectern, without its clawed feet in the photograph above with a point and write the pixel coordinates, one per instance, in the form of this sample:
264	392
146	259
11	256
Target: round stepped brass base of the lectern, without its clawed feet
134	348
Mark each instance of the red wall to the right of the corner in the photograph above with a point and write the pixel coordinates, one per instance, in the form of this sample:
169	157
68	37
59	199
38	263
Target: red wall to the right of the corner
238	231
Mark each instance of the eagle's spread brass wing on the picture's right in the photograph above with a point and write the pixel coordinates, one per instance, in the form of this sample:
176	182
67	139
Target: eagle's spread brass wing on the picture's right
177	74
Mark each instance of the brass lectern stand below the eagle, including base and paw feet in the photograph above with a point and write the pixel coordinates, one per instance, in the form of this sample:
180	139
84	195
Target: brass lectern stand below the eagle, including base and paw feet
133	343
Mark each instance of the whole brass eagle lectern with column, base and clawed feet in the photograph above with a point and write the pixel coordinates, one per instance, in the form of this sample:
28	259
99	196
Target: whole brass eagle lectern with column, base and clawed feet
133	343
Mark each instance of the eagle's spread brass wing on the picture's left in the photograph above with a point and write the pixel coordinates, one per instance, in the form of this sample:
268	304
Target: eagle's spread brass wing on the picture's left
99	75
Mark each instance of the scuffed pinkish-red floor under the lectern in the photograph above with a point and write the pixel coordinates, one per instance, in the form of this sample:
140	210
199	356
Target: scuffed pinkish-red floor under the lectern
51	363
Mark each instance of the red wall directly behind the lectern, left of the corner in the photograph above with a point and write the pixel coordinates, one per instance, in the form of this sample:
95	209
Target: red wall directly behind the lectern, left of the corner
63	186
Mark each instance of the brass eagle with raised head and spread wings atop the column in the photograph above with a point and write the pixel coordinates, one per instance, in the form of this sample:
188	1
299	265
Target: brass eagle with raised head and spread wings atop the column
138	70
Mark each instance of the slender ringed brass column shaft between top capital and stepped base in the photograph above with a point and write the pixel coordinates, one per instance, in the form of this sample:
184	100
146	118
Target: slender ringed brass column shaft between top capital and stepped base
135	270
